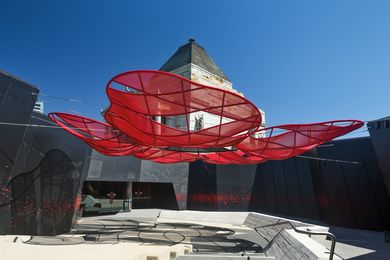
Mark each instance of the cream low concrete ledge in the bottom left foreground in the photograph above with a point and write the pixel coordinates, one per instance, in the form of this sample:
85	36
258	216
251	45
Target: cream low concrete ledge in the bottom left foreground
15	247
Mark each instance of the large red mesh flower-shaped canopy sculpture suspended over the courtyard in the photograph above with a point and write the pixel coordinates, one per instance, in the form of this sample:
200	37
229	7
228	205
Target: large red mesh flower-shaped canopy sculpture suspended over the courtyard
150	117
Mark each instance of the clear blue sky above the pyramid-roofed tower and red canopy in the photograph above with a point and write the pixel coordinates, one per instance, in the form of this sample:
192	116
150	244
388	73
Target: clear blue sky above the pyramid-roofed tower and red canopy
300	61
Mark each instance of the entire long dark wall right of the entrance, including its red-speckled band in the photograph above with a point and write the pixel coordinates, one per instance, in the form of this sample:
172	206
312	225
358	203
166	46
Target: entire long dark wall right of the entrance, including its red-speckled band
340	193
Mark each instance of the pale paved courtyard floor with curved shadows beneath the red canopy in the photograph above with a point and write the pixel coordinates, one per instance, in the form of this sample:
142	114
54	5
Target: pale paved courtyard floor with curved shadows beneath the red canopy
168	234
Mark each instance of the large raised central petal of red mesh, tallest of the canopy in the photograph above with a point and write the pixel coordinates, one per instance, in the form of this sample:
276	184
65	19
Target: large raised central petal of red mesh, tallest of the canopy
156	93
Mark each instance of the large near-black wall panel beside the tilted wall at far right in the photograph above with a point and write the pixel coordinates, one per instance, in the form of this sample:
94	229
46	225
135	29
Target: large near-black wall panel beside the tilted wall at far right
353	189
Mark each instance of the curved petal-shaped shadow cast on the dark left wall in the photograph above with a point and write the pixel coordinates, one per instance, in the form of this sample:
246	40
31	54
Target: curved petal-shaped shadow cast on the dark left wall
43	200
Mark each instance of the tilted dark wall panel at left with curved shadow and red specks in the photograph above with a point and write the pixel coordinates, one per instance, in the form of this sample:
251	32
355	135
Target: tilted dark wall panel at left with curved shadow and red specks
50	168
